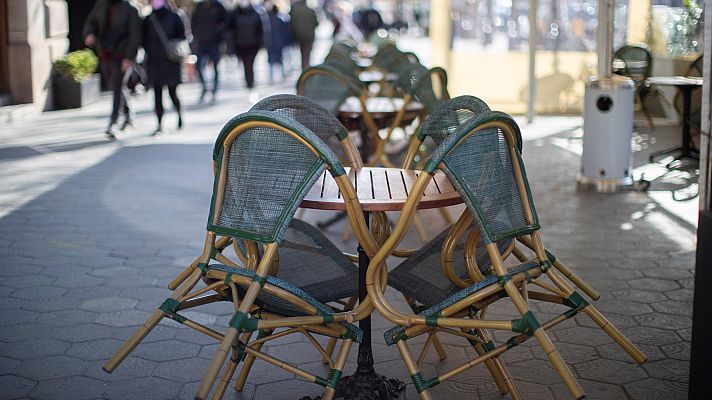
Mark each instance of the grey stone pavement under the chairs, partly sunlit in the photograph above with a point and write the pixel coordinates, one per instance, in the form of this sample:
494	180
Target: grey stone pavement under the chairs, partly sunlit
91	231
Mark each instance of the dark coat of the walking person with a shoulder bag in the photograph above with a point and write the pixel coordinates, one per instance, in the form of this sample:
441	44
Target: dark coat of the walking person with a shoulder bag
161	70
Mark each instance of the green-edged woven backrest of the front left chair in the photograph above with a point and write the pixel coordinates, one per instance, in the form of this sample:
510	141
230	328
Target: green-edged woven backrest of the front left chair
266	164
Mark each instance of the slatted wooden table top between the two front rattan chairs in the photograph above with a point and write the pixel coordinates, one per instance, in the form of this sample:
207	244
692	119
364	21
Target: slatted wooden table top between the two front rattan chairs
381	189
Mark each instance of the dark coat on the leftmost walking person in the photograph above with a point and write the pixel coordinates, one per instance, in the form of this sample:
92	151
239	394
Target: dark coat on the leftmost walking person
122	37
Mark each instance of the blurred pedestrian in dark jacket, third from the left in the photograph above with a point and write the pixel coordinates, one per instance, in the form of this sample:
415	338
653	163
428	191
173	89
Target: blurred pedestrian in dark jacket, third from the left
208	24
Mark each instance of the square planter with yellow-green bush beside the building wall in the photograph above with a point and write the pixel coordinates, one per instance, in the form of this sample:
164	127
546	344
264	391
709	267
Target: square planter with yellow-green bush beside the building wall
75	83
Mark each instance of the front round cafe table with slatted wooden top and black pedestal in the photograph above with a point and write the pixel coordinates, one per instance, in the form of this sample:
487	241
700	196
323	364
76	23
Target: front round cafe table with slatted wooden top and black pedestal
378	189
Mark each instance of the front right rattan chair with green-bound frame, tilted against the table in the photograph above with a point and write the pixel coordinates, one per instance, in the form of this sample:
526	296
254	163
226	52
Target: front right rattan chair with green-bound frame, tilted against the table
482	160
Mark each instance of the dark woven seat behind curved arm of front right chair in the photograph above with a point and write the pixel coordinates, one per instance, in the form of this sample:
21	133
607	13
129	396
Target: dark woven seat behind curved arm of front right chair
420	277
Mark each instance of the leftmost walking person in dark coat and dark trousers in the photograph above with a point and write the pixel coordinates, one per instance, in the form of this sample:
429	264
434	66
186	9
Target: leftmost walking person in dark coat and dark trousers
113	30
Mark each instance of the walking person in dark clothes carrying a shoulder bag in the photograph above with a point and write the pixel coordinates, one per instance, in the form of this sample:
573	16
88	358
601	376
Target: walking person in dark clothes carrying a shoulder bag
162	26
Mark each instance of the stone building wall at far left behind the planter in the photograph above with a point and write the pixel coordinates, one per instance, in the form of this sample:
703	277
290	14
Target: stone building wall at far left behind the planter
37	35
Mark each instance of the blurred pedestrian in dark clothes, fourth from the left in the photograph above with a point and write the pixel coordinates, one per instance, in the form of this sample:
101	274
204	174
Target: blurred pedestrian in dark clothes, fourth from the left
247	37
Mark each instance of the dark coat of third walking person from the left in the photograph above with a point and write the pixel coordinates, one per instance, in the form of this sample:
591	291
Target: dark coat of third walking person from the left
208	22
